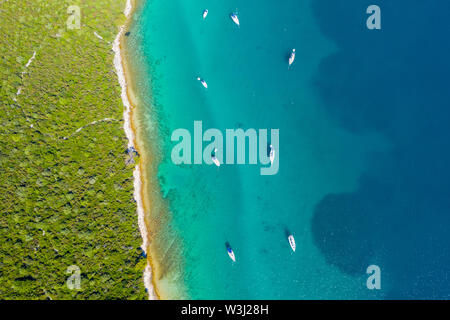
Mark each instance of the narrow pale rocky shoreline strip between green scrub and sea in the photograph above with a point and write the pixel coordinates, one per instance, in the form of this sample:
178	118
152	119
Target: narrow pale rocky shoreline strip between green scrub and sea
130	133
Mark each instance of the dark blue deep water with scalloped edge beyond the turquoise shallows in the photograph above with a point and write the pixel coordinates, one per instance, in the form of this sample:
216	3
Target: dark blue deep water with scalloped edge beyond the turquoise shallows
395	82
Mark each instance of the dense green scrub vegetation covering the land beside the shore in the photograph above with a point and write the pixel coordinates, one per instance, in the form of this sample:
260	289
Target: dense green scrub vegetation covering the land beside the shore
67	201
